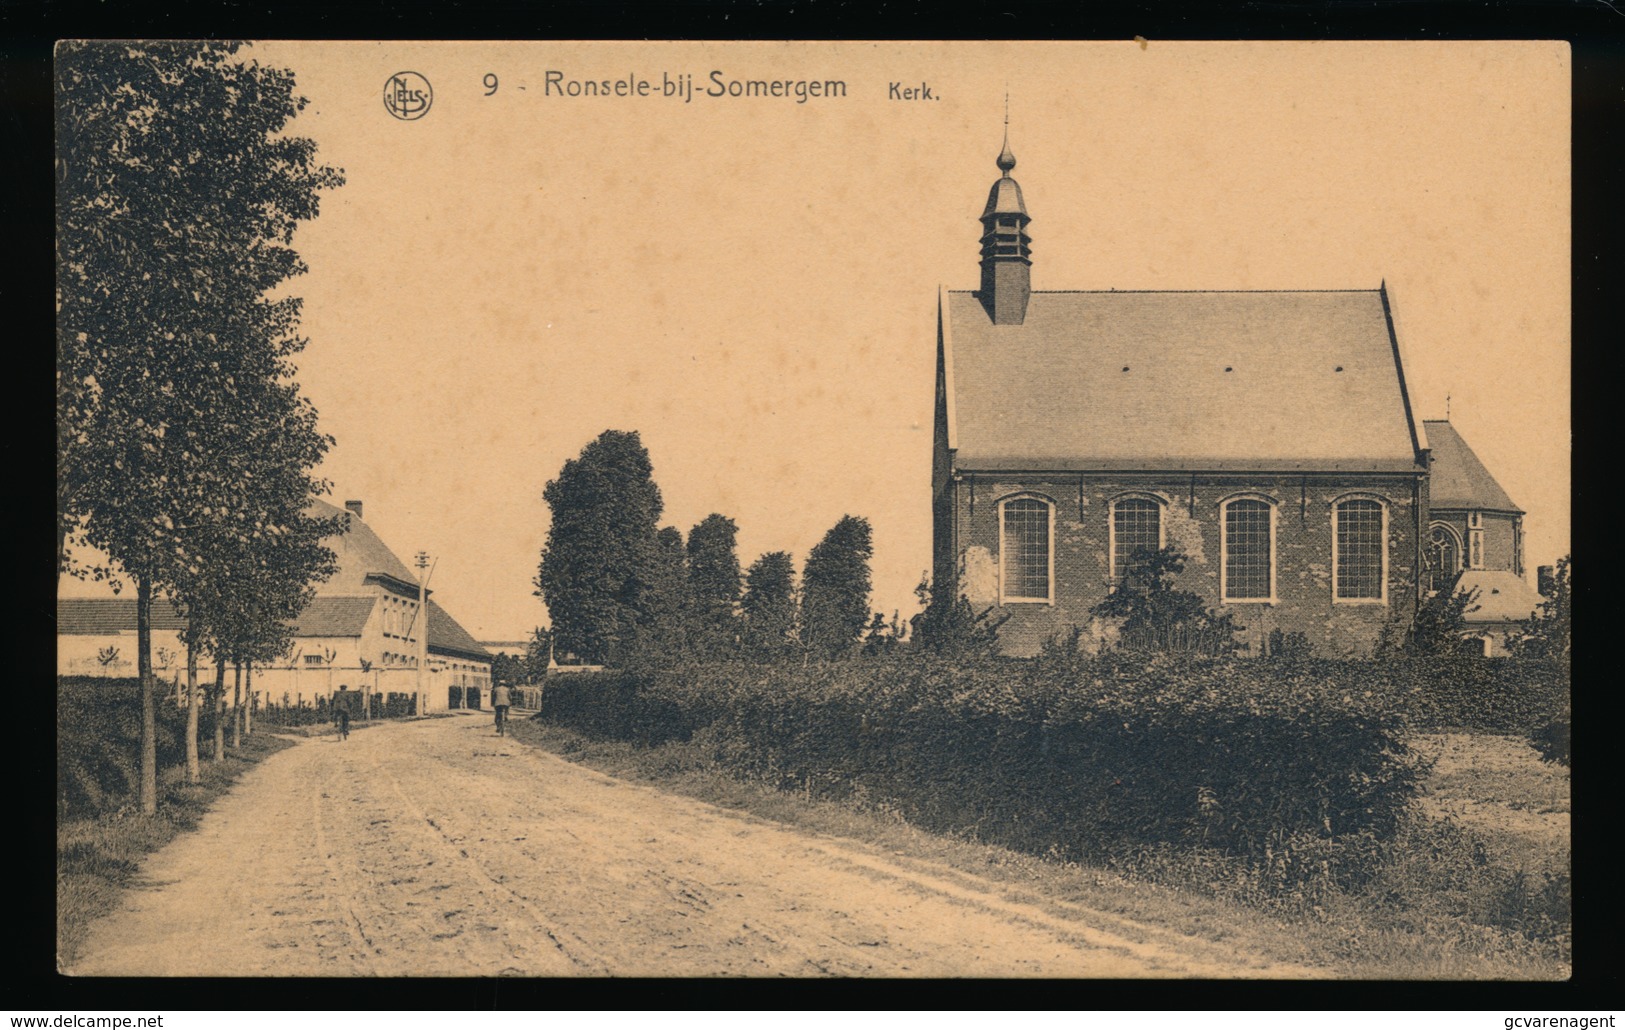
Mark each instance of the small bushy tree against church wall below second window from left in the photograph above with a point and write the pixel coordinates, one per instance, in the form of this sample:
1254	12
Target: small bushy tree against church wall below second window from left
1158	617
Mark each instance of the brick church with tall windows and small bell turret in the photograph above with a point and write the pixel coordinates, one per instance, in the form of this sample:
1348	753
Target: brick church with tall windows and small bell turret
1267	435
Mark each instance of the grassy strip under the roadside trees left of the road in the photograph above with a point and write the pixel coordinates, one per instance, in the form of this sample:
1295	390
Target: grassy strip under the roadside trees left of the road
100	857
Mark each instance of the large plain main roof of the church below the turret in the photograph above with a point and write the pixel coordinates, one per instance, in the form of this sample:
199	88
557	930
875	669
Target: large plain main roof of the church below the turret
1179	381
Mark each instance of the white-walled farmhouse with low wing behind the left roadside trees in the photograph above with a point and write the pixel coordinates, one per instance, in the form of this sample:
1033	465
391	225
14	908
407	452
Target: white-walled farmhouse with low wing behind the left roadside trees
362	630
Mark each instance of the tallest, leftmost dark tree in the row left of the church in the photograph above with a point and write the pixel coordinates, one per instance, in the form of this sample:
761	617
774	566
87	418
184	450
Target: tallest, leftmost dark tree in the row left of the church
600	569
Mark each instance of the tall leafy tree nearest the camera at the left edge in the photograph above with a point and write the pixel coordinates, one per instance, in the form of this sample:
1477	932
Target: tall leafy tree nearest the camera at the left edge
178	196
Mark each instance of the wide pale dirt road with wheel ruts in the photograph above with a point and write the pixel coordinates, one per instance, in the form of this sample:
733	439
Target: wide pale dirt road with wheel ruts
438	849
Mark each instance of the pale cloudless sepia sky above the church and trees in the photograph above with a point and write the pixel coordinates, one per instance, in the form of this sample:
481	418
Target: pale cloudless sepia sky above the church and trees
752	282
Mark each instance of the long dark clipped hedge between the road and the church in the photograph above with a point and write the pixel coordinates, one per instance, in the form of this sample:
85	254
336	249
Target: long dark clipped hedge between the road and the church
1286	766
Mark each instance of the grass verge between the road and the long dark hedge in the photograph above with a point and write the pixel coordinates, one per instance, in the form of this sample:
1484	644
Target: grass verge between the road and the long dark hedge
1363	938
